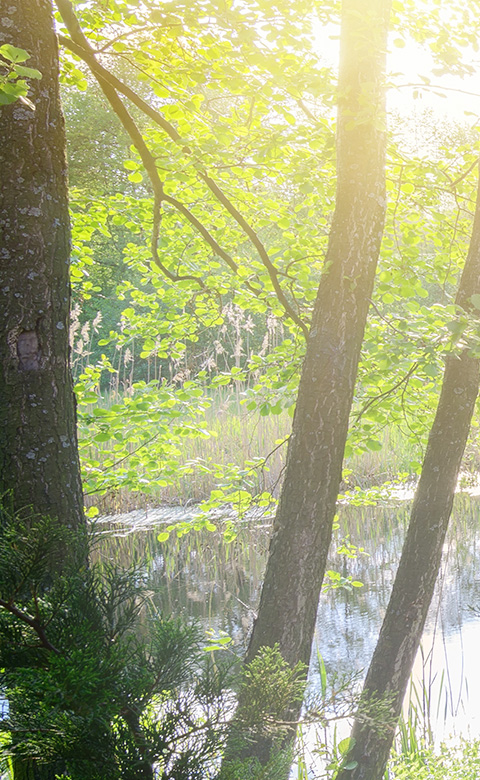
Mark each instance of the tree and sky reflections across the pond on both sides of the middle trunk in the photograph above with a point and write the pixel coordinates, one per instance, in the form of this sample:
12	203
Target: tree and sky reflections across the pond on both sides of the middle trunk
202	576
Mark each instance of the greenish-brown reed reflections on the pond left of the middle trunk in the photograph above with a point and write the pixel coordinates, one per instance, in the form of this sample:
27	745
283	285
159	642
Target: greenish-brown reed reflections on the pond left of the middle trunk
199	575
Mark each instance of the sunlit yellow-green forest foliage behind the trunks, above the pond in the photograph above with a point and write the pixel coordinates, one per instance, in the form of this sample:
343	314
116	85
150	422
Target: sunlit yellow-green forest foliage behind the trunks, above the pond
182	389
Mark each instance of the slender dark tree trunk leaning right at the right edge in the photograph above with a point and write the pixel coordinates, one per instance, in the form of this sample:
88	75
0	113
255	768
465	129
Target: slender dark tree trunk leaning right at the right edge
414	584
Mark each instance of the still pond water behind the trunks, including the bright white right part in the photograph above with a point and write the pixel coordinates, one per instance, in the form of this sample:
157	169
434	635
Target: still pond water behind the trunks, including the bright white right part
218	583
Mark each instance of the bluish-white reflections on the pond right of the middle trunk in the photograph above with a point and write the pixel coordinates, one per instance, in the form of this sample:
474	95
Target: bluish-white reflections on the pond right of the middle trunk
348	622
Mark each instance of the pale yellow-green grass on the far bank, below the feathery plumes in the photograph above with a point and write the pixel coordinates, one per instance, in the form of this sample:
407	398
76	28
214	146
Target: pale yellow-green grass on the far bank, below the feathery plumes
245	441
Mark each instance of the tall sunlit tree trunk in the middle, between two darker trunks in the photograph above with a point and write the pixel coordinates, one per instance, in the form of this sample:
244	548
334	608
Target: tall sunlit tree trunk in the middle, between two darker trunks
303	524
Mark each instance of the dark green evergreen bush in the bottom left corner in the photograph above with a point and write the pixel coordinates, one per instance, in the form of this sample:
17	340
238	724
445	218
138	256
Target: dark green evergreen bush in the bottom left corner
99	685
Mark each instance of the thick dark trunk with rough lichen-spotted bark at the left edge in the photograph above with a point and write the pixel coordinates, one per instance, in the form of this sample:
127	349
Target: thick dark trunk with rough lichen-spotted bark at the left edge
39	465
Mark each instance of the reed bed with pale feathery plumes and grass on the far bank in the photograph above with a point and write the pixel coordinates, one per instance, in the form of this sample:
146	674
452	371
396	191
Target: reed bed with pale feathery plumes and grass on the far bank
248	444
